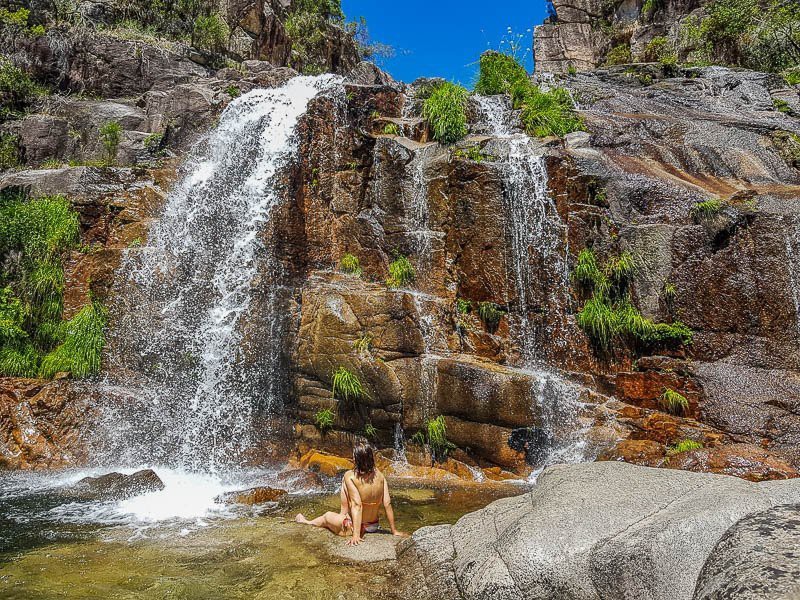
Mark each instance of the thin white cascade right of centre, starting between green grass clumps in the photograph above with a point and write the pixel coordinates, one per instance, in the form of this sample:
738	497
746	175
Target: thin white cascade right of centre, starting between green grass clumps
538	258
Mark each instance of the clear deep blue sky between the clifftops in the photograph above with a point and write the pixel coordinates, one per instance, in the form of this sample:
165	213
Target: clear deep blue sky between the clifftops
444	38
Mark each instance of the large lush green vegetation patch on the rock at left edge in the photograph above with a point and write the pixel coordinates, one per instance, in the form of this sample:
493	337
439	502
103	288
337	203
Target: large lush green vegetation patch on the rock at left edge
34	340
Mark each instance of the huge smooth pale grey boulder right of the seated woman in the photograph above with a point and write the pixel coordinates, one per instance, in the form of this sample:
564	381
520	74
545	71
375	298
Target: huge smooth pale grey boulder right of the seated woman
601	530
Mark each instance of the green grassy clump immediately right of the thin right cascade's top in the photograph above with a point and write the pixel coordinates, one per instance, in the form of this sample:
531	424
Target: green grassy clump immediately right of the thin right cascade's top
544	114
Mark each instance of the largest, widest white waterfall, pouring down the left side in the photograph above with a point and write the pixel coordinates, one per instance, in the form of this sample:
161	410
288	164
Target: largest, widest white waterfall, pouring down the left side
189	378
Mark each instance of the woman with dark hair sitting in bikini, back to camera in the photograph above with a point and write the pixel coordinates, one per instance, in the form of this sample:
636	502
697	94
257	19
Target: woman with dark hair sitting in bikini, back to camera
364	490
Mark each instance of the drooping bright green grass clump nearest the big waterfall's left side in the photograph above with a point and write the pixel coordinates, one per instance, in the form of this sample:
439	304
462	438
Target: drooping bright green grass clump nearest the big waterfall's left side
80	353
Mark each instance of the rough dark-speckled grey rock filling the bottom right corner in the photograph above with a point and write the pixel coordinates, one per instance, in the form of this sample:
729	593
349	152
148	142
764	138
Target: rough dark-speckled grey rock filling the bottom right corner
757	558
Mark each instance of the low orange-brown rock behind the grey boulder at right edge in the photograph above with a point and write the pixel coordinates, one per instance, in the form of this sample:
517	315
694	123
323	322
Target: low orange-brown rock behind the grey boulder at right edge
740	460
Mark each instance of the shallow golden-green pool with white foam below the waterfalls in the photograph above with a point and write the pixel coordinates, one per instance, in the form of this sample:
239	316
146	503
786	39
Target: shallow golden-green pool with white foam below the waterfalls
178	543
